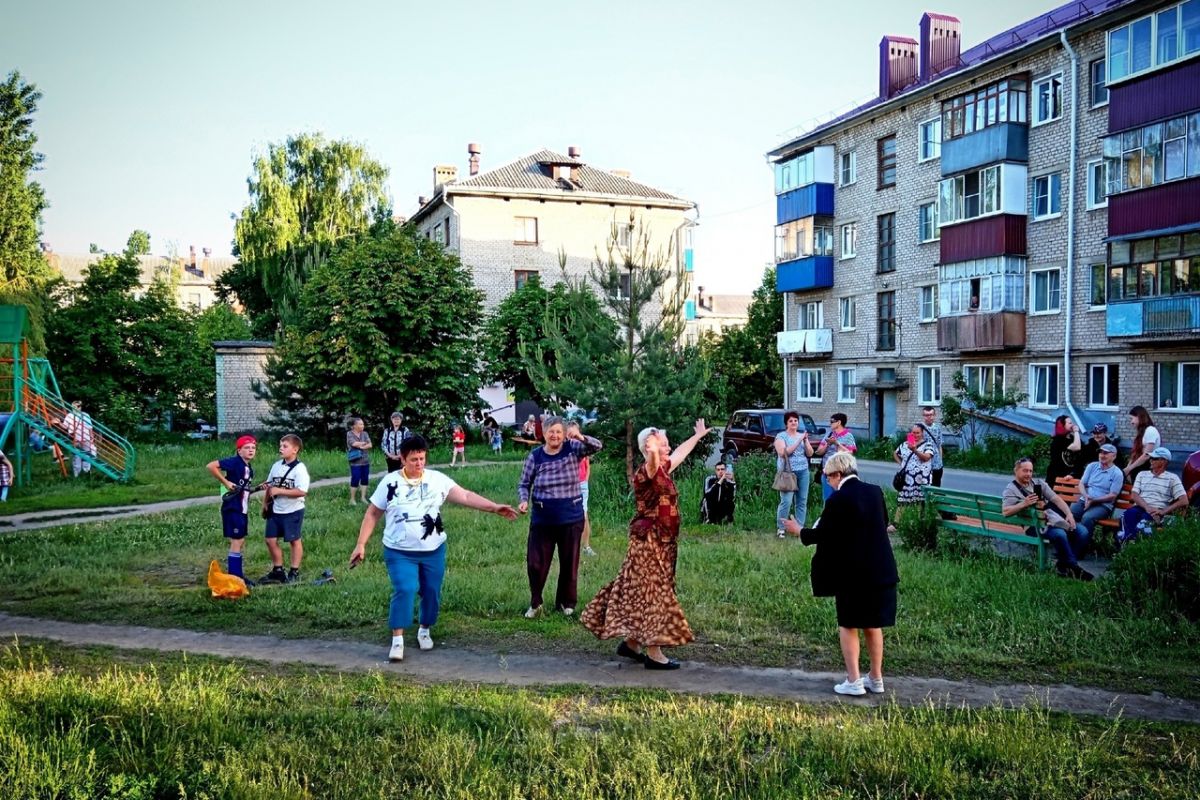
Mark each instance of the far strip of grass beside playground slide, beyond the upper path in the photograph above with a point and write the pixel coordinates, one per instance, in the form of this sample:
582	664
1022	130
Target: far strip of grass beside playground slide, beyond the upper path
177	471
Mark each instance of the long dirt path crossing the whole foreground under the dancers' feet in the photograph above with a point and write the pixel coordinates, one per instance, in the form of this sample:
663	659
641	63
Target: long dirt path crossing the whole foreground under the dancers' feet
449	664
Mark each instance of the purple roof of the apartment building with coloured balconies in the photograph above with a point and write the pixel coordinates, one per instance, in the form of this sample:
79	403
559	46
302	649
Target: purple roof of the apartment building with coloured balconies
1028	33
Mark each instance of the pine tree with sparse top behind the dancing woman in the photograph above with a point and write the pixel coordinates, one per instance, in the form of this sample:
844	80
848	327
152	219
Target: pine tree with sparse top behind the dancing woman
638	375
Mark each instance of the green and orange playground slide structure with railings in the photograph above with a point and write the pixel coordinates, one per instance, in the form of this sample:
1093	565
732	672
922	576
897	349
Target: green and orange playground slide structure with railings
31	404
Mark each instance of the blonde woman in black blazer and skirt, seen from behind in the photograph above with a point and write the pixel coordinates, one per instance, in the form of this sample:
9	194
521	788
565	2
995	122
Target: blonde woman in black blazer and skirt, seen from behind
855	566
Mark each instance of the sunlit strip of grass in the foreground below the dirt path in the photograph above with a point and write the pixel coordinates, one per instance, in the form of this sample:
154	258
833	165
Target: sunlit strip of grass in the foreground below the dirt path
93	723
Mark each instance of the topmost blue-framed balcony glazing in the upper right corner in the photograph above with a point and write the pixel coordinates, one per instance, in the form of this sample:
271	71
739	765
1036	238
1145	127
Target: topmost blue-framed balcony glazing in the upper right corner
1154	41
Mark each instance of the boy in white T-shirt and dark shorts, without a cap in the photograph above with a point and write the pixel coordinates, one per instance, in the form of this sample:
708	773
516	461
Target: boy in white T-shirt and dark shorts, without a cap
287	485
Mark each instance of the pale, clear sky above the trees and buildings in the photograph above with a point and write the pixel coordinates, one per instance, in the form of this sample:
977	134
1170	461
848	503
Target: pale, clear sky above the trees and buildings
153	112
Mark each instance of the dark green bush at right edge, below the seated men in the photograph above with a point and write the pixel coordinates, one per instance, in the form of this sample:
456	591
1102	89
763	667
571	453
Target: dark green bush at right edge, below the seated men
1161	574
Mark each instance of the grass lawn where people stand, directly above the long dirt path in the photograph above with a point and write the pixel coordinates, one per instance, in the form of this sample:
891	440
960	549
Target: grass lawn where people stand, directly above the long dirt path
746	593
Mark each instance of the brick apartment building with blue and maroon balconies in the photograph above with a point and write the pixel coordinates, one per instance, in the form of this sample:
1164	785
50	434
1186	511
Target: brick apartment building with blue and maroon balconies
1027	212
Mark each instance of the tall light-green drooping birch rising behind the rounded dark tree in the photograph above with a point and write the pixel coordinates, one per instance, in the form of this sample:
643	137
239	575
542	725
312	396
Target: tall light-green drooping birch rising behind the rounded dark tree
305	196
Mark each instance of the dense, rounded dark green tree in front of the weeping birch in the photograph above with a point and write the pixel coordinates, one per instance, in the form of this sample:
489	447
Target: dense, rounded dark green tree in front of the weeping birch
388	322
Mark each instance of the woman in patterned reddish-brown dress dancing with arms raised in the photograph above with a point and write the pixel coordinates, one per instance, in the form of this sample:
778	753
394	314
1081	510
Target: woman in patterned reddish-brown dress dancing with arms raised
640	605
